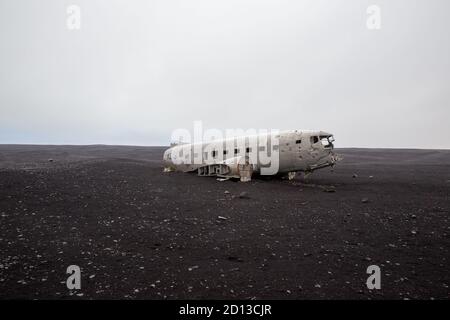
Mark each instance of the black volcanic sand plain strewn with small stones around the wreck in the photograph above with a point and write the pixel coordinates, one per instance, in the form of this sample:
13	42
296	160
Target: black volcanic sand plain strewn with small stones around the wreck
137	232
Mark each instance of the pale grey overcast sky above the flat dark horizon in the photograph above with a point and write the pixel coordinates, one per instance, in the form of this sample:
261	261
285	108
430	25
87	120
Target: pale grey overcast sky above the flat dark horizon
137	70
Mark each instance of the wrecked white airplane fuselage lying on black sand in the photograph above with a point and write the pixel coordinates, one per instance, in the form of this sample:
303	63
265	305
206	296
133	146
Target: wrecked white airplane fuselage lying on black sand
288	151
